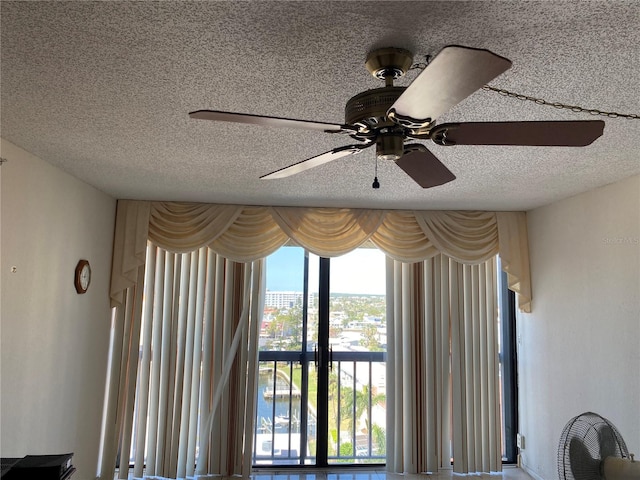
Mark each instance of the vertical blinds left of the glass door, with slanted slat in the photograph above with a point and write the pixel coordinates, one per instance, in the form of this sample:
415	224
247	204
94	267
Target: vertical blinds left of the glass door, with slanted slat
190	353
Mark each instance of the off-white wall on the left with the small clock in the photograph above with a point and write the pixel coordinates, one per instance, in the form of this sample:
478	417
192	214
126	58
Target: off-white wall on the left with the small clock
54	342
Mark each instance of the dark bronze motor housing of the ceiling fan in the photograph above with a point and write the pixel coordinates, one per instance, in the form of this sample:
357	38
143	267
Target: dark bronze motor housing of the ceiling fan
368	110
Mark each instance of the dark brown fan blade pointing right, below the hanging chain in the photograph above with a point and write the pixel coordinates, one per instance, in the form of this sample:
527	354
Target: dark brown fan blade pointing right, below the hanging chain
575	133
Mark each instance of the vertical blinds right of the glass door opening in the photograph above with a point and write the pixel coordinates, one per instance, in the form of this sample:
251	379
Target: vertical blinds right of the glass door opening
442	357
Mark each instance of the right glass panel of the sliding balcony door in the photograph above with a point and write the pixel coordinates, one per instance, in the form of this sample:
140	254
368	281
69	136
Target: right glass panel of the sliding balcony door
357	344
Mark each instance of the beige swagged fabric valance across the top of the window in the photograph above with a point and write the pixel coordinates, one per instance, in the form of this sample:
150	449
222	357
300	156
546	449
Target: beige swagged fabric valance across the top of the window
247	233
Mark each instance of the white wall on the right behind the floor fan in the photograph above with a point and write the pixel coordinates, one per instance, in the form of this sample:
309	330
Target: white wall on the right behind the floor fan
579	349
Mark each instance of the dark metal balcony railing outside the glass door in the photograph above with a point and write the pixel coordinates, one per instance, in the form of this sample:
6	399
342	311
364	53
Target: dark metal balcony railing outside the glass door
285	428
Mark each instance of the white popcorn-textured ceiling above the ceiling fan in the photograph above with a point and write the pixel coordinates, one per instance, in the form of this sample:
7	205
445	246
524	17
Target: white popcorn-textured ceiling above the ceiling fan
102	90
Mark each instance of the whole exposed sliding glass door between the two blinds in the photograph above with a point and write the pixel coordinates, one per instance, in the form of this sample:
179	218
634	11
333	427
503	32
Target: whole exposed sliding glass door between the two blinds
322	377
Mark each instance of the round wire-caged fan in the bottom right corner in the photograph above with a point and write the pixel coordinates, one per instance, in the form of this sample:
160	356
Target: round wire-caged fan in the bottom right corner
591	448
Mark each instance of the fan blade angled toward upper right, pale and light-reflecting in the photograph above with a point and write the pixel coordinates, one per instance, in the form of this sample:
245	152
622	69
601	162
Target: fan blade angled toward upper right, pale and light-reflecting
454	74
